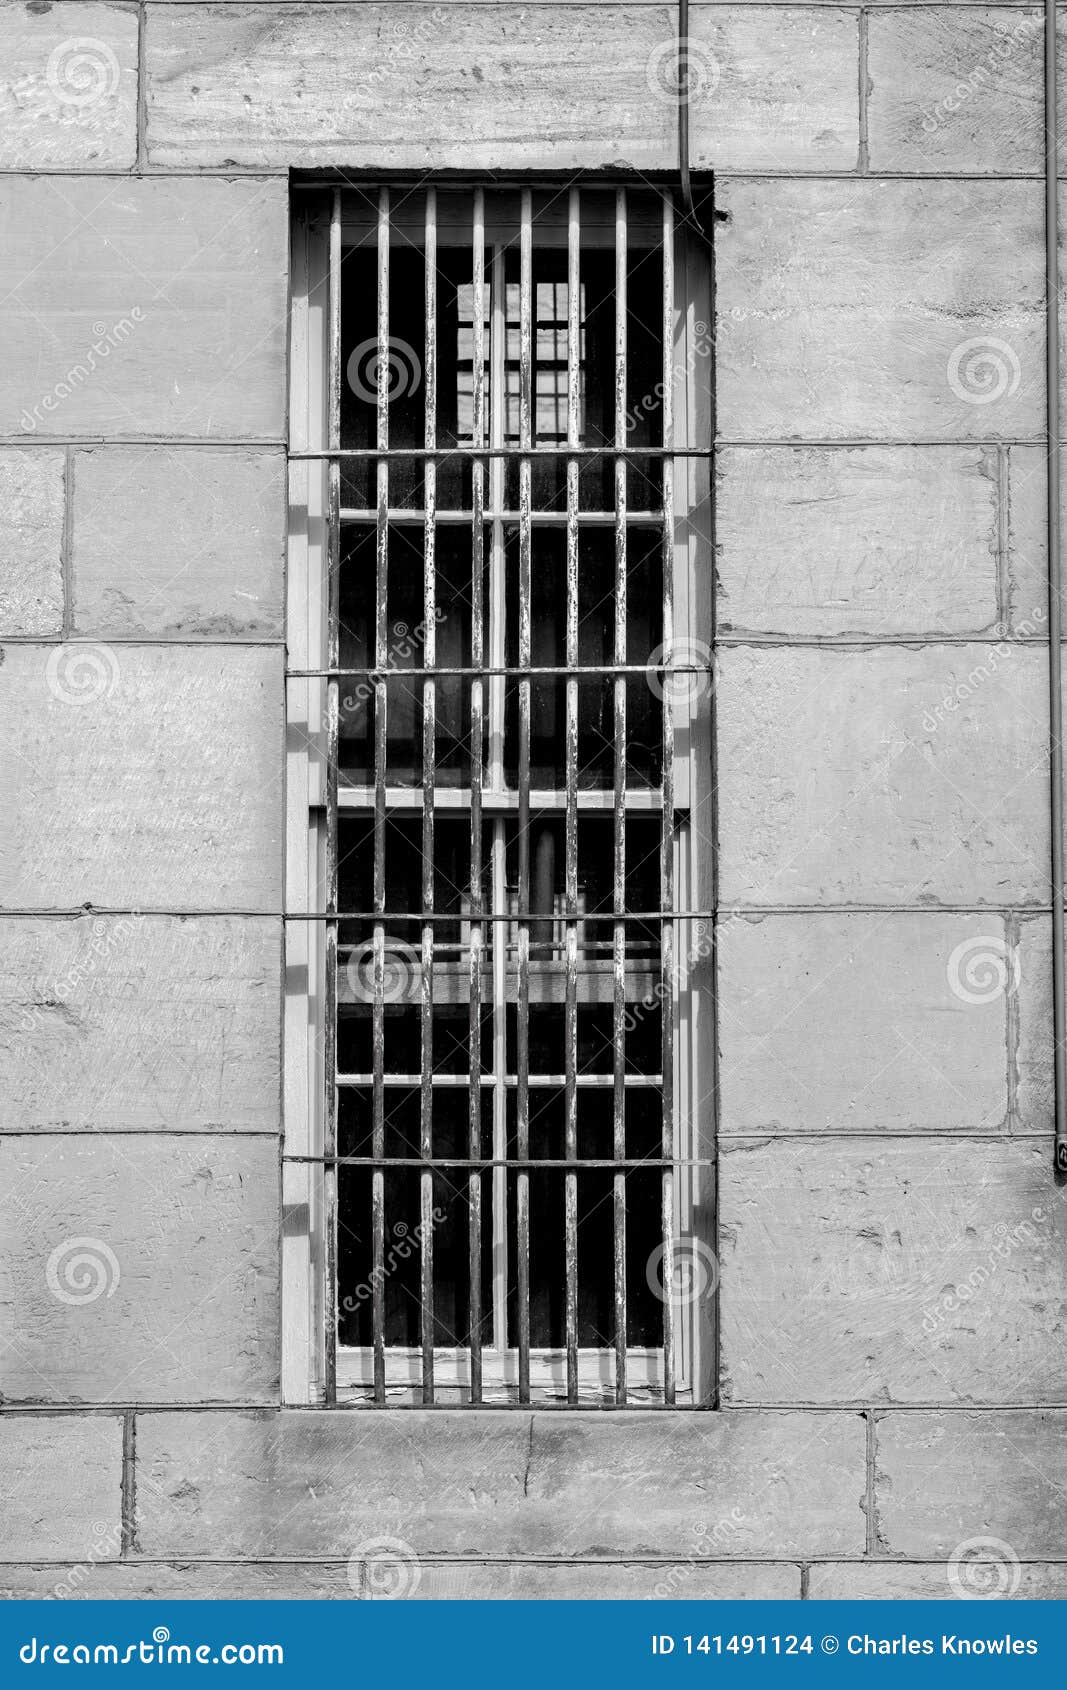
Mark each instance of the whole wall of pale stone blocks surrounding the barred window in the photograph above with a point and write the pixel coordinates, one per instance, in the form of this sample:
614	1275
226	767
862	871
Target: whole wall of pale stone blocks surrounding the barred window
892	1241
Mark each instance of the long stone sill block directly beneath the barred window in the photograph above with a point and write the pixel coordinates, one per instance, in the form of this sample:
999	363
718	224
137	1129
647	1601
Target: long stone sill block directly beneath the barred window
474	1485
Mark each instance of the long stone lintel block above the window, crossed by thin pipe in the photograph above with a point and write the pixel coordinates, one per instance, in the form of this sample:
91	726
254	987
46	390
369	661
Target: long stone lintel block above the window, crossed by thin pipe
481	85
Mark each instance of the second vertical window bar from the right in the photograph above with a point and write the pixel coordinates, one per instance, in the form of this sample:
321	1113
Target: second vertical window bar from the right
620	807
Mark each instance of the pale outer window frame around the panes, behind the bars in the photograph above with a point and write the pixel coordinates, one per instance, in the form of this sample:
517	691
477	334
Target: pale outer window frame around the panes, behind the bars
309	1265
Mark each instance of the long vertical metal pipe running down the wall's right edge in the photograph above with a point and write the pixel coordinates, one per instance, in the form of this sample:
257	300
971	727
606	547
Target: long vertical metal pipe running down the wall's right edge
1056	687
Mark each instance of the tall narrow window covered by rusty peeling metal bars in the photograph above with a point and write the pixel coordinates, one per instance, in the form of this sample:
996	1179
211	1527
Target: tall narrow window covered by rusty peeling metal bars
498	1015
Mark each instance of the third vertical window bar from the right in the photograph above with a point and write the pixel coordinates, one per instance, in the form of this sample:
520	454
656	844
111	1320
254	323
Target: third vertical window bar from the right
571	1018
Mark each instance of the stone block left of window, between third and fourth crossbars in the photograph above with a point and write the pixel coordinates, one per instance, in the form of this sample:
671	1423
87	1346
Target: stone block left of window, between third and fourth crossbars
136	1023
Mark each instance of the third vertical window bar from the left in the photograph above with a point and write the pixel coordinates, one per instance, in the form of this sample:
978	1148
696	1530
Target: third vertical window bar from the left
430	378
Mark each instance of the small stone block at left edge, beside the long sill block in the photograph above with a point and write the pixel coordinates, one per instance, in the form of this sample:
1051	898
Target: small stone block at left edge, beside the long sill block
60	1486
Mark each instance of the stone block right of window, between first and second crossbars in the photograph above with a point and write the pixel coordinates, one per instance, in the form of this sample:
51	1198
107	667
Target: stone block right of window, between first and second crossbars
877	540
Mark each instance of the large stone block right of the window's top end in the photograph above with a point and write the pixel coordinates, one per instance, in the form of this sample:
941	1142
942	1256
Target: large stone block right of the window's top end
884	310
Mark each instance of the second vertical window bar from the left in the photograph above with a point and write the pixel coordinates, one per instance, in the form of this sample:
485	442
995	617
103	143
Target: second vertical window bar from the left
381	657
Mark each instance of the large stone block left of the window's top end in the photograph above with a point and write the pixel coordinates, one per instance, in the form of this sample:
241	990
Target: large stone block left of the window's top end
143	307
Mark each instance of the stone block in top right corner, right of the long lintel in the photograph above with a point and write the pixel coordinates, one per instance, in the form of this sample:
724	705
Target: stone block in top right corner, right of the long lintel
955	90
